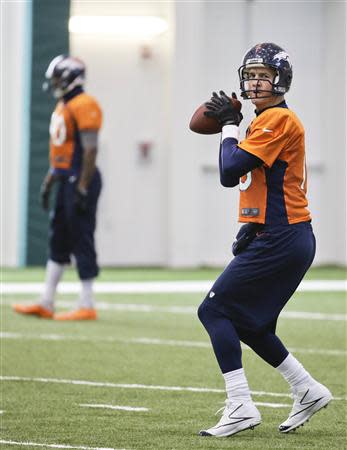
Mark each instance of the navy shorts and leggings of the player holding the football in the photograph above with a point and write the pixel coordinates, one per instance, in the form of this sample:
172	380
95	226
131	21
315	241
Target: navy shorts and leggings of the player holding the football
247	298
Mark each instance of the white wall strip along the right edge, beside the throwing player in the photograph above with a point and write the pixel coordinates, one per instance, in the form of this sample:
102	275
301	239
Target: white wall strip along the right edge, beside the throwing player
332	200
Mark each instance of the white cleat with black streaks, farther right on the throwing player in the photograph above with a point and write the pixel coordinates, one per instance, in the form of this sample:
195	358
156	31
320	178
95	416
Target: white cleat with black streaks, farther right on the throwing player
307	401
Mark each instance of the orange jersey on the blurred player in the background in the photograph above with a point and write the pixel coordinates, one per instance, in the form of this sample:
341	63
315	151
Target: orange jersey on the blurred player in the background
82	112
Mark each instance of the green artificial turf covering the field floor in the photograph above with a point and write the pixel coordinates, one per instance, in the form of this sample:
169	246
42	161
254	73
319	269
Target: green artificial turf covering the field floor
158	348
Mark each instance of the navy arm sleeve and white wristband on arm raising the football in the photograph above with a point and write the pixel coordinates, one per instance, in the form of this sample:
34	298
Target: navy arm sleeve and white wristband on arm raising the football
234	162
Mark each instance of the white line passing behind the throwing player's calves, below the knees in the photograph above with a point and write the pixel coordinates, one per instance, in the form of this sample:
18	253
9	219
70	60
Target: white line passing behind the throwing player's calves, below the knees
148	341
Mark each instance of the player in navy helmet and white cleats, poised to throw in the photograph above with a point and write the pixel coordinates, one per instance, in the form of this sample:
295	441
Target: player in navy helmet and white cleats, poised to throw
274	248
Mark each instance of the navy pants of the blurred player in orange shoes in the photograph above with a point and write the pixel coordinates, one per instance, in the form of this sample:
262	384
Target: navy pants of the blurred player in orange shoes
72	233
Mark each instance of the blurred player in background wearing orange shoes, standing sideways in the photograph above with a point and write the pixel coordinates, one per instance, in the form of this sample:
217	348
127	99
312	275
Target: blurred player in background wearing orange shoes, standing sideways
74	128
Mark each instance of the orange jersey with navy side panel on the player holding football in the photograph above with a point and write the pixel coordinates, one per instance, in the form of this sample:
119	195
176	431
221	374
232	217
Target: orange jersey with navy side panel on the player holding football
275	193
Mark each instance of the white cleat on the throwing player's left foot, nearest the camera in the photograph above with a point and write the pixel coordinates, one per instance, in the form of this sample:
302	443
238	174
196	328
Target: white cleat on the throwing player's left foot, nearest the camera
236	417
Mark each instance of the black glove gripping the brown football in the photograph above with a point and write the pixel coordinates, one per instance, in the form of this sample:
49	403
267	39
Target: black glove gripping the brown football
226	112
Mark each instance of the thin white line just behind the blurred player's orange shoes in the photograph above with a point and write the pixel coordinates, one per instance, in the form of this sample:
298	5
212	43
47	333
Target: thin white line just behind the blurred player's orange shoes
138	307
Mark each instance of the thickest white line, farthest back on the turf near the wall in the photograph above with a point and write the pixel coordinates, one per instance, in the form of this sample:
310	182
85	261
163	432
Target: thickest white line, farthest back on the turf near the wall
124	287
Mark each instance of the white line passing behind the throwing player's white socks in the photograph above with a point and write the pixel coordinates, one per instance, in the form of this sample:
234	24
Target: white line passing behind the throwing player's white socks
139	386
